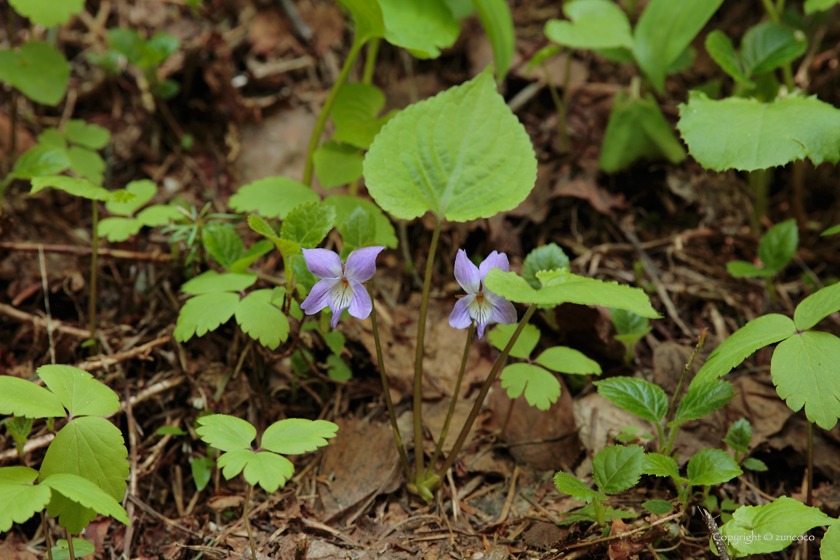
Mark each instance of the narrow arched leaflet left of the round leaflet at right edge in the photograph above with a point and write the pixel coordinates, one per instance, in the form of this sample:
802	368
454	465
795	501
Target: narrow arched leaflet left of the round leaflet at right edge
756	334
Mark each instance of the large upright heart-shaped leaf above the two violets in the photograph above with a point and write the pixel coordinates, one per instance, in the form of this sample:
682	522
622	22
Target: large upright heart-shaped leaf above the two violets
462	155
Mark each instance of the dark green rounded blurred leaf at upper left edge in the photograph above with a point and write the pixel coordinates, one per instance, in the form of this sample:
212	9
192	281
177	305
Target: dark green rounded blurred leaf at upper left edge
38	70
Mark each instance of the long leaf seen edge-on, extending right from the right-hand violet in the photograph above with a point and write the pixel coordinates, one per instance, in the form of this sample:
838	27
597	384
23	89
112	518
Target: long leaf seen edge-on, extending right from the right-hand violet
564	287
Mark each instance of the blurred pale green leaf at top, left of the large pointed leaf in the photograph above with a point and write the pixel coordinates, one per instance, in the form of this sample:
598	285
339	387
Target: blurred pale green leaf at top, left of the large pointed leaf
595	24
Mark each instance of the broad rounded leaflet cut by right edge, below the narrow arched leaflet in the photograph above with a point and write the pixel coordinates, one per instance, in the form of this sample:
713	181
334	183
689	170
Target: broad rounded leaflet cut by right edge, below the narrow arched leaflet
804	370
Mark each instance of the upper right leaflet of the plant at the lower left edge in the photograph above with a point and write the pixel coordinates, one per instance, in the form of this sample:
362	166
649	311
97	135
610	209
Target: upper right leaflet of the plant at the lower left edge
79	392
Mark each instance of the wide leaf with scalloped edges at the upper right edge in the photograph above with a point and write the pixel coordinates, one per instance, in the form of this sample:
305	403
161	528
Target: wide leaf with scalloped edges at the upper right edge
759	135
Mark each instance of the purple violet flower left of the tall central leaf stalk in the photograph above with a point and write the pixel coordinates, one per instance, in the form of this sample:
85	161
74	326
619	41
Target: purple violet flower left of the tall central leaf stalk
340	286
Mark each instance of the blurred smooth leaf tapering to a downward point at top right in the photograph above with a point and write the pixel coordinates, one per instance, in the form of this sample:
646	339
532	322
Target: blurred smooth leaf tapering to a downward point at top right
664	30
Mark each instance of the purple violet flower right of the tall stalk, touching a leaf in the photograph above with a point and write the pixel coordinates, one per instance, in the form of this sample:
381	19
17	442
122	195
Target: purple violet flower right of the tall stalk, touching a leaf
480	303
